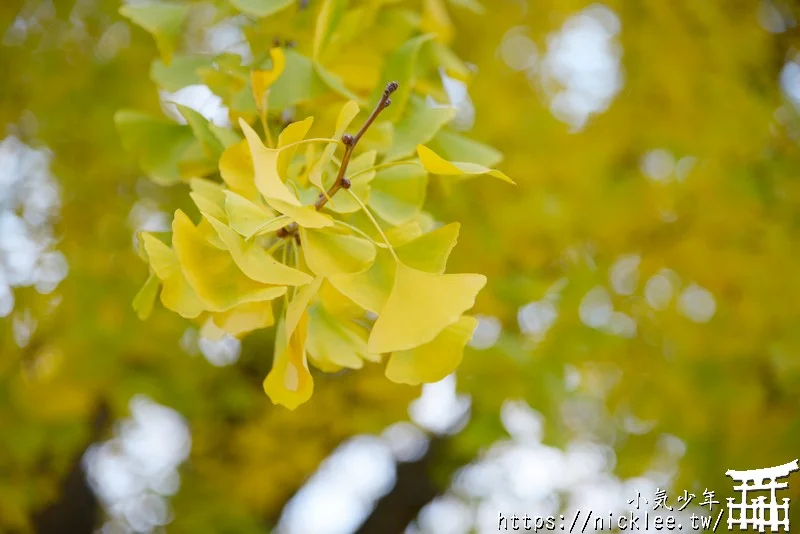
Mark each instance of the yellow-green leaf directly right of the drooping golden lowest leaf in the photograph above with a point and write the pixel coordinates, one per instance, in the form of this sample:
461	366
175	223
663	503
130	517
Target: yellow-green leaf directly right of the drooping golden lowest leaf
330	339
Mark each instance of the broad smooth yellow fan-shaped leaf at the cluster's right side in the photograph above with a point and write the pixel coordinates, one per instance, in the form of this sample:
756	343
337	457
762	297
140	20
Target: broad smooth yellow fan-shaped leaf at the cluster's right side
420	306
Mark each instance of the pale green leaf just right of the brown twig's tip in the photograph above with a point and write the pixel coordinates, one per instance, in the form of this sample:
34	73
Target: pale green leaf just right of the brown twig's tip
419	124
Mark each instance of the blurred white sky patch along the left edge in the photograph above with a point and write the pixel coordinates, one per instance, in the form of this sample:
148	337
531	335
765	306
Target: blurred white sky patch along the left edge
30	202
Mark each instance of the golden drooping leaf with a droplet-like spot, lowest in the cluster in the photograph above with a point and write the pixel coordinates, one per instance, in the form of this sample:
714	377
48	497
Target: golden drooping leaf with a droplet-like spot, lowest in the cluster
289	382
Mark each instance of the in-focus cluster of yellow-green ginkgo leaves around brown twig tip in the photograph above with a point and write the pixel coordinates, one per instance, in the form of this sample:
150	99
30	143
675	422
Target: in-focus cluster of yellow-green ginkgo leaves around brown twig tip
323	237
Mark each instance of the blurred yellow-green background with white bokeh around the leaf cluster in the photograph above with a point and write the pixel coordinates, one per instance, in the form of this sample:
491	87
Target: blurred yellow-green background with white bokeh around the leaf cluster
640	329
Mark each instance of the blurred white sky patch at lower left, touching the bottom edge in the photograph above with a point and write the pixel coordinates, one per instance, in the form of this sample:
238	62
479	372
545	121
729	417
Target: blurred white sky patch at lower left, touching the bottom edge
136	471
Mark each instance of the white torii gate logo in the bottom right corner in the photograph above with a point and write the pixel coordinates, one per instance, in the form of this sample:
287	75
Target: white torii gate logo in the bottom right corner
759	513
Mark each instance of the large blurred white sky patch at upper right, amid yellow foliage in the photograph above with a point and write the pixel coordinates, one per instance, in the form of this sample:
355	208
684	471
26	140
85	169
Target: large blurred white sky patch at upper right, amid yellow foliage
581	71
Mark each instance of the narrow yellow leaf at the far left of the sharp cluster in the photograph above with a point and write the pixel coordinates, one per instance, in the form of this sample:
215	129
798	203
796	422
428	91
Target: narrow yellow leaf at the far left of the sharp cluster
176	293
